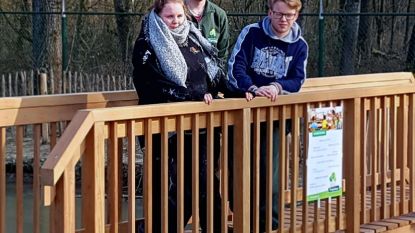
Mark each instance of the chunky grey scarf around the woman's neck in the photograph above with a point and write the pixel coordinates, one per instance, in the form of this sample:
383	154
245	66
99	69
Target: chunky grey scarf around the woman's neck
166	46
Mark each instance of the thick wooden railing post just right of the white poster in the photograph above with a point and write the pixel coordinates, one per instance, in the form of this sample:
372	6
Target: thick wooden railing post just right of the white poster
352	158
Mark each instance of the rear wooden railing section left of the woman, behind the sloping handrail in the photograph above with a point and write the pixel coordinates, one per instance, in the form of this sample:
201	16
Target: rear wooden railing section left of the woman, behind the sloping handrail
24	123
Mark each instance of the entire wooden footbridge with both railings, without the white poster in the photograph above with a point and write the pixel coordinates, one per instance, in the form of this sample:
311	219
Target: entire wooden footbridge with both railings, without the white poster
97	131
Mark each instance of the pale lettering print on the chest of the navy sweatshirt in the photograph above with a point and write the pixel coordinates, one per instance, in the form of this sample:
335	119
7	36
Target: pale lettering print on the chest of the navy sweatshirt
270	62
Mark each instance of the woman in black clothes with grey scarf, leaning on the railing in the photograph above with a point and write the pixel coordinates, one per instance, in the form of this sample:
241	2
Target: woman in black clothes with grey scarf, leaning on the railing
174	62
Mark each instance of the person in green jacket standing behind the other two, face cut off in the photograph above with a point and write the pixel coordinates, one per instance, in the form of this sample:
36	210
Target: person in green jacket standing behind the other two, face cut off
212	21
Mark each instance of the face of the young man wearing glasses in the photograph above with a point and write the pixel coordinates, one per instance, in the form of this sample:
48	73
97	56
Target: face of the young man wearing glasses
282	18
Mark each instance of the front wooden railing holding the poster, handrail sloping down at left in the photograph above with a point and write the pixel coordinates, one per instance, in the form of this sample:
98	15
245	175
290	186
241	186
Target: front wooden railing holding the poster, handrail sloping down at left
378	162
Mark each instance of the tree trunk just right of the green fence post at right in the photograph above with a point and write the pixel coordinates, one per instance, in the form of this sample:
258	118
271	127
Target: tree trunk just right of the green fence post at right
350	33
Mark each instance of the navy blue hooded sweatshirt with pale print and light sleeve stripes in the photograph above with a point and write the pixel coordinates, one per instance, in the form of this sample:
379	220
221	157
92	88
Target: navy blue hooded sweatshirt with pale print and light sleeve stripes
260	58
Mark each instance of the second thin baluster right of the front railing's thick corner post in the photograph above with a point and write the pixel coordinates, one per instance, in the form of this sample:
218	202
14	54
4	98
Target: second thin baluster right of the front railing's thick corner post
131	176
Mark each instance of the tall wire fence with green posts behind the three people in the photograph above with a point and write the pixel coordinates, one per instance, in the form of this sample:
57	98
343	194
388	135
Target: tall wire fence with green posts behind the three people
100	45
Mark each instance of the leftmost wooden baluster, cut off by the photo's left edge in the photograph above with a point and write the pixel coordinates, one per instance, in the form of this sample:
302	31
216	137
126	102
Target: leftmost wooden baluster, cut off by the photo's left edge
2	179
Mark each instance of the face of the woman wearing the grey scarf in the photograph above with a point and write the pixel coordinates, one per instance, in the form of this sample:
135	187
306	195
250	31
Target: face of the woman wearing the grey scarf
172	14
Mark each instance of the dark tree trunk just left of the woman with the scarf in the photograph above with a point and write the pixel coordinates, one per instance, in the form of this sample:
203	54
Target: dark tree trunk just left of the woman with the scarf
123	28
